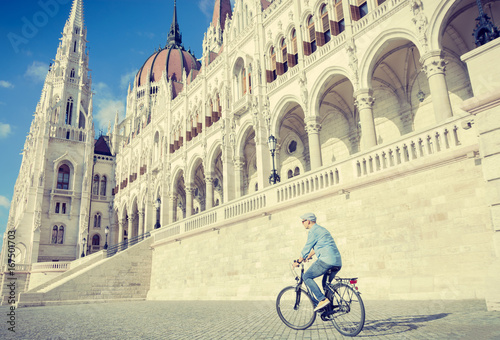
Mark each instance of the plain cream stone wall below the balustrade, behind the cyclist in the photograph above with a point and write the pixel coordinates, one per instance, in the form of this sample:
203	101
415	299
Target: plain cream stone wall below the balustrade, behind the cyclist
422	232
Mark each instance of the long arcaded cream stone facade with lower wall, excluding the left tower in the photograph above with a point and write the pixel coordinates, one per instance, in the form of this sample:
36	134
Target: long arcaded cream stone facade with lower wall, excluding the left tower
370	103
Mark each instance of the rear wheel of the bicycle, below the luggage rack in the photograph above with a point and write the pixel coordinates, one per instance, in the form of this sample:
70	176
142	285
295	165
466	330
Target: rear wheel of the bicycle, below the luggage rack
349	310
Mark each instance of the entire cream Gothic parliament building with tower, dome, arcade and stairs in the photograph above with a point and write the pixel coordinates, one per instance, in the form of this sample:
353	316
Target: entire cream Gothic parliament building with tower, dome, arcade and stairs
380	116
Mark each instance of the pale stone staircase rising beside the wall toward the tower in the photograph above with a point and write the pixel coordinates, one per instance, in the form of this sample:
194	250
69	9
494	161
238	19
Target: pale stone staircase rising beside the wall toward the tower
125	276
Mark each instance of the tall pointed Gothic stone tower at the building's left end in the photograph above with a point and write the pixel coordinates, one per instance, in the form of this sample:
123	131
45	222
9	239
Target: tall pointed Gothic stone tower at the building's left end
49	211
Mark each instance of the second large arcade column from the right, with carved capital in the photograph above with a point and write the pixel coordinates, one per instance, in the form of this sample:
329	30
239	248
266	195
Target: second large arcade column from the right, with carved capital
364	102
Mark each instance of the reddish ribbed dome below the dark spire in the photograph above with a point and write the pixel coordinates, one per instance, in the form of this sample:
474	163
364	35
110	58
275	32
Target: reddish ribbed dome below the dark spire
172	59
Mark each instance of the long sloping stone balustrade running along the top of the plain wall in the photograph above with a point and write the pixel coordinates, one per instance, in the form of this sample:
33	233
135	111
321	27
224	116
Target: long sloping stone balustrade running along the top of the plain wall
336	178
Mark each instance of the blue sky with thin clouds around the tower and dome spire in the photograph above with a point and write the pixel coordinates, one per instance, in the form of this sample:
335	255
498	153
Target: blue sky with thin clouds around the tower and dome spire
121	35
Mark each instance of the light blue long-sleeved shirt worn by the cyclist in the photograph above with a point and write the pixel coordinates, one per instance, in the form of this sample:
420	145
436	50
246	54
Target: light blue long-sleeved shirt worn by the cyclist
324	246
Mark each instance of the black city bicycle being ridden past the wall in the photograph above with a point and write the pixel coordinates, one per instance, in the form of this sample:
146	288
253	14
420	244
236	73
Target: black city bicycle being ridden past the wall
346	310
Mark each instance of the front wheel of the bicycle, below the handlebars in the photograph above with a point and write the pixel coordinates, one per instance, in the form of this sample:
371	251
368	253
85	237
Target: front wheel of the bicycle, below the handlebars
295	308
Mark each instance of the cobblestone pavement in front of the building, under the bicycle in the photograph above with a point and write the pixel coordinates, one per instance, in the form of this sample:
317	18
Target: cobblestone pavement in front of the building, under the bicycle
245	320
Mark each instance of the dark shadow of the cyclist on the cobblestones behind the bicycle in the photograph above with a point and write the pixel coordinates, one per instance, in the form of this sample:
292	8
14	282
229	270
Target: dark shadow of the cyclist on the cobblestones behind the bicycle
397	325
